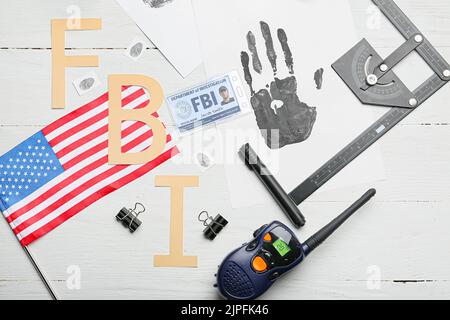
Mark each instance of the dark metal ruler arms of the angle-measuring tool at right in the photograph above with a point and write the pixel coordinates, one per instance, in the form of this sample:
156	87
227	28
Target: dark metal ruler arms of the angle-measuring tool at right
392	117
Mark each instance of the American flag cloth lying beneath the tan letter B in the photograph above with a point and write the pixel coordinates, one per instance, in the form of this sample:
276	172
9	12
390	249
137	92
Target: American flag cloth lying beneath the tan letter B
63	168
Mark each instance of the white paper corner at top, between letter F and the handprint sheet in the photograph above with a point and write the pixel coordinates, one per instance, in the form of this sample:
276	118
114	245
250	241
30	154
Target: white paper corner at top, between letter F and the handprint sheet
170	25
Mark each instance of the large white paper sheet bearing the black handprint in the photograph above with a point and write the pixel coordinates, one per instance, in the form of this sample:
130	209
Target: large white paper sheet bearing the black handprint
318	33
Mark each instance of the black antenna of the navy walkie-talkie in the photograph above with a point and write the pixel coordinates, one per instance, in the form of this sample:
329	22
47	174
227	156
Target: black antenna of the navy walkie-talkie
320	236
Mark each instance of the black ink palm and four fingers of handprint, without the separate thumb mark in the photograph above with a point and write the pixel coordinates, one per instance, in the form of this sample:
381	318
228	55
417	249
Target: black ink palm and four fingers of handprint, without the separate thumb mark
281	117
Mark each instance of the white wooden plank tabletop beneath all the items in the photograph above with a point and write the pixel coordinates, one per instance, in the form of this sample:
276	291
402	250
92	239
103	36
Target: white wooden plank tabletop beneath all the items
402	235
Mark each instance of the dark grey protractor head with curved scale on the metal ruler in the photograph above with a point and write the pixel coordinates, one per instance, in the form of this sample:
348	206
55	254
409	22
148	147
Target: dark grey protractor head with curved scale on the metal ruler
356	69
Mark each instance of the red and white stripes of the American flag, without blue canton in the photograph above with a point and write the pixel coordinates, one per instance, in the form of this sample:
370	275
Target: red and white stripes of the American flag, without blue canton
80	142
